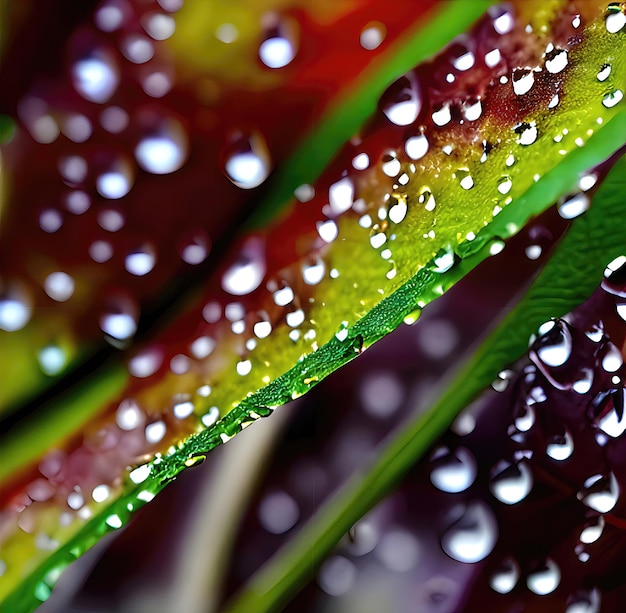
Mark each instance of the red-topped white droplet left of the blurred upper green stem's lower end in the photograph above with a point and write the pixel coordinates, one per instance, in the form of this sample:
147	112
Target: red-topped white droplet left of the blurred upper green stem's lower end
247	161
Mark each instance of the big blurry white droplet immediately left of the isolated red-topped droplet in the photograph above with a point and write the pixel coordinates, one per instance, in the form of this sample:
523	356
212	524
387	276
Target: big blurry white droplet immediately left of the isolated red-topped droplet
164	148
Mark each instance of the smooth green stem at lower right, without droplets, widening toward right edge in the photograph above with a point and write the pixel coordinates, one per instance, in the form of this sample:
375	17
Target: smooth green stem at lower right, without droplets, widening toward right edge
576	266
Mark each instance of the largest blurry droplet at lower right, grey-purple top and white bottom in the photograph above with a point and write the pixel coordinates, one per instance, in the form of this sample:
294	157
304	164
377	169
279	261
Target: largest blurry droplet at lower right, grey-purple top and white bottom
472	537
